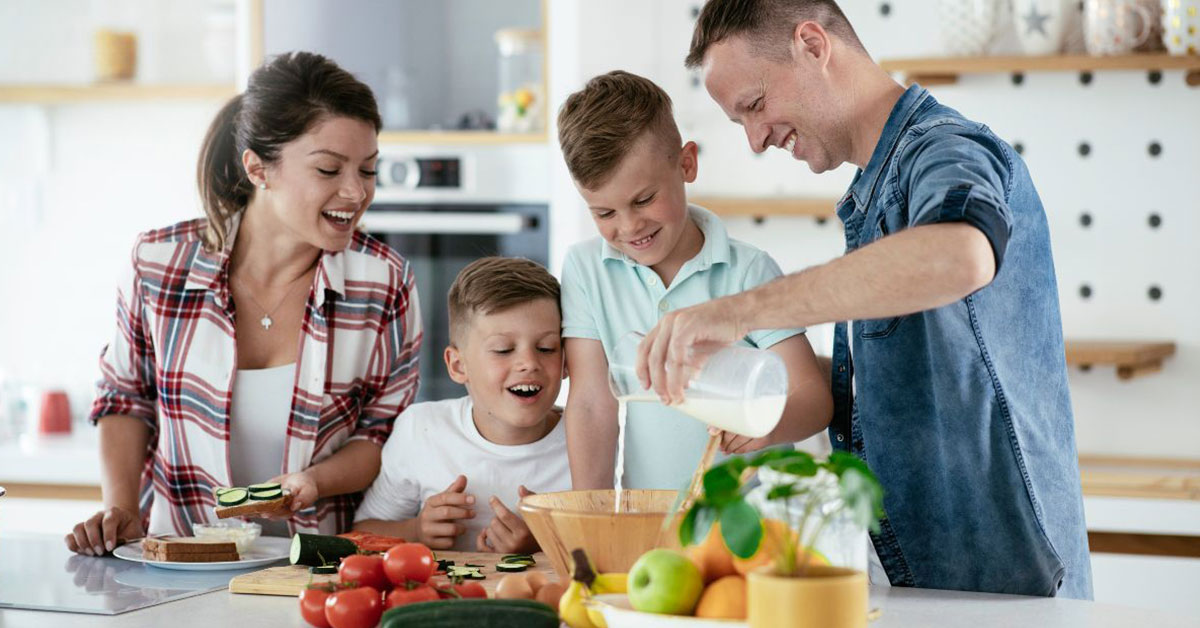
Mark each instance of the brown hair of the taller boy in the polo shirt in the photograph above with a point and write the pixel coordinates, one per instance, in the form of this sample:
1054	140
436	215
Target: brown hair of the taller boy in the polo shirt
601	124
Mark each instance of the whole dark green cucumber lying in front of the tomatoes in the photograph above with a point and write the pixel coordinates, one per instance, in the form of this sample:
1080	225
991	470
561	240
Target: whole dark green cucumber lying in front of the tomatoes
472	614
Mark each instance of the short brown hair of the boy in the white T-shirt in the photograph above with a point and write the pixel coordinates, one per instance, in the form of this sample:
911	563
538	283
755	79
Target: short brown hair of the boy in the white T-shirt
495	284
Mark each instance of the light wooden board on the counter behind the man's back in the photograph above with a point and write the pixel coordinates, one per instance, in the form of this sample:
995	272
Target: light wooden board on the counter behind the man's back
1141	477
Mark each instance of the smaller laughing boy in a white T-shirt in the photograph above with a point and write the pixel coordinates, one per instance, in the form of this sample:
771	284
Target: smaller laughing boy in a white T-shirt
506	435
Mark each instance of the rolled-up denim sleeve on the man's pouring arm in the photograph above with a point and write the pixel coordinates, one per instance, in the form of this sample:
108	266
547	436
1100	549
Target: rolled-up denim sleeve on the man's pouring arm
959	175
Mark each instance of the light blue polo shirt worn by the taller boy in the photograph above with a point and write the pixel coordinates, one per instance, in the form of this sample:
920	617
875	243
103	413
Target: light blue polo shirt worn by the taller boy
607	296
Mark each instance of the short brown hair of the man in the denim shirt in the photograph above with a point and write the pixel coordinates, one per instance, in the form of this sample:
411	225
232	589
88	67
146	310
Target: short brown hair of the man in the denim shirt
769	26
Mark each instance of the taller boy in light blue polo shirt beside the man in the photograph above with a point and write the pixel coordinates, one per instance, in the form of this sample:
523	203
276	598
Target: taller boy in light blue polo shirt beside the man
656	254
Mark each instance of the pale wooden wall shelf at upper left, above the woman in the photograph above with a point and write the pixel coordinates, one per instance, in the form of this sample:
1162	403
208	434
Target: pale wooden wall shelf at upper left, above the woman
113	92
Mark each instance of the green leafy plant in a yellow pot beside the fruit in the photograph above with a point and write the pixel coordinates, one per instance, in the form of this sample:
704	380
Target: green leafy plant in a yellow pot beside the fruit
794	589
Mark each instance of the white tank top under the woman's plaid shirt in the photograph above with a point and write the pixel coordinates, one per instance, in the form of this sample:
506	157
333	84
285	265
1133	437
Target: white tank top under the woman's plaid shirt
259	428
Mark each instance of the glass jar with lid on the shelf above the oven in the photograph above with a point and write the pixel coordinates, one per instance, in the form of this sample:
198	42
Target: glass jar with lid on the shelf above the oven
523	103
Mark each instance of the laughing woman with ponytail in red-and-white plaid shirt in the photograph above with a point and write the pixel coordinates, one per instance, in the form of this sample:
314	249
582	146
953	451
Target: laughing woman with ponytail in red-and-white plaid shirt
269	340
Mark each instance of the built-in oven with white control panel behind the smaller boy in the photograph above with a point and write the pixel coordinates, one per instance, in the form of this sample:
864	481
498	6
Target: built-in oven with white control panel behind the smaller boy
442	210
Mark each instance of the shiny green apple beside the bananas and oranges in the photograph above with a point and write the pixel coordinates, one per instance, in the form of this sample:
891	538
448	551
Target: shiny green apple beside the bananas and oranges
665	582
